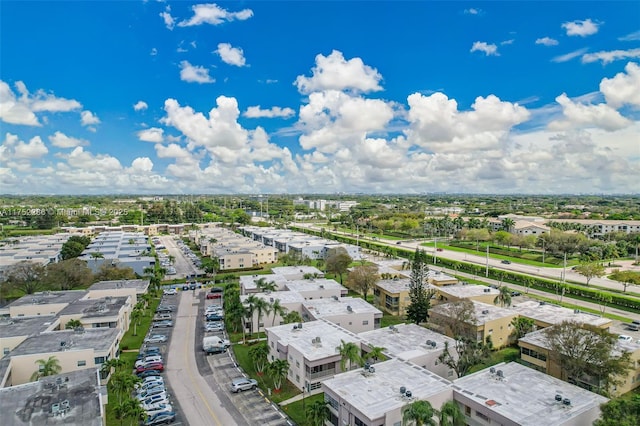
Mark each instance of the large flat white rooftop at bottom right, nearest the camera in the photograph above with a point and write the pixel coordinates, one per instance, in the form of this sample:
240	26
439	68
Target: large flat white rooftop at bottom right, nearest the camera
526	396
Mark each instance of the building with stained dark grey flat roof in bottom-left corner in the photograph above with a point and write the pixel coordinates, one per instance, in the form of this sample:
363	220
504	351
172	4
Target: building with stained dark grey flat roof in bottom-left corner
75	398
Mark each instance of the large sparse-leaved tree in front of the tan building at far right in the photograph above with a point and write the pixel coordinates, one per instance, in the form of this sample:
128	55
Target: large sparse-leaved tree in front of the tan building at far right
588	354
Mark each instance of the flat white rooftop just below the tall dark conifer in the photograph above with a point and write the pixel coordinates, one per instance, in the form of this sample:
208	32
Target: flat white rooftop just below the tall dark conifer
405	341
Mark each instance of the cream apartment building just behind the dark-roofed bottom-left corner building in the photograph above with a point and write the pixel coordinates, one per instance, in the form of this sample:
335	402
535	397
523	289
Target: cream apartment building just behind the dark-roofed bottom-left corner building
74	350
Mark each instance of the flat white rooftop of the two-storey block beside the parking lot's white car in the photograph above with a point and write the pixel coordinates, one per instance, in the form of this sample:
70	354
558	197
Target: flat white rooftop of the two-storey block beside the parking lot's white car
302	339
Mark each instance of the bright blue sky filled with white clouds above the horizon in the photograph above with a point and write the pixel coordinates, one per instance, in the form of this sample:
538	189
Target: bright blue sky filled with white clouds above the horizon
319	97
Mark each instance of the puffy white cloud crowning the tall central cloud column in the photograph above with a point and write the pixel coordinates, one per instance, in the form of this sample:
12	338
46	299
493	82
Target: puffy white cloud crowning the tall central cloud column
333	72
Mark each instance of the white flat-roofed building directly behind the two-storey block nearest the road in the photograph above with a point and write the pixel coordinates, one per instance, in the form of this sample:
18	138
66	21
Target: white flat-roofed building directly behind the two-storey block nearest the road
352	314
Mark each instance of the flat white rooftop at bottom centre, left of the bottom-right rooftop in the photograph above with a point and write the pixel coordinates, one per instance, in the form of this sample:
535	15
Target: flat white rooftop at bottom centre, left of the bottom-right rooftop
378	393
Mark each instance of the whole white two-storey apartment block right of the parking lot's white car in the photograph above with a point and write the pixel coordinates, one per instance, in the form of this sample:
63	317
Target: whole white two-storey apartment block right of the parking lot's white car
311	350
